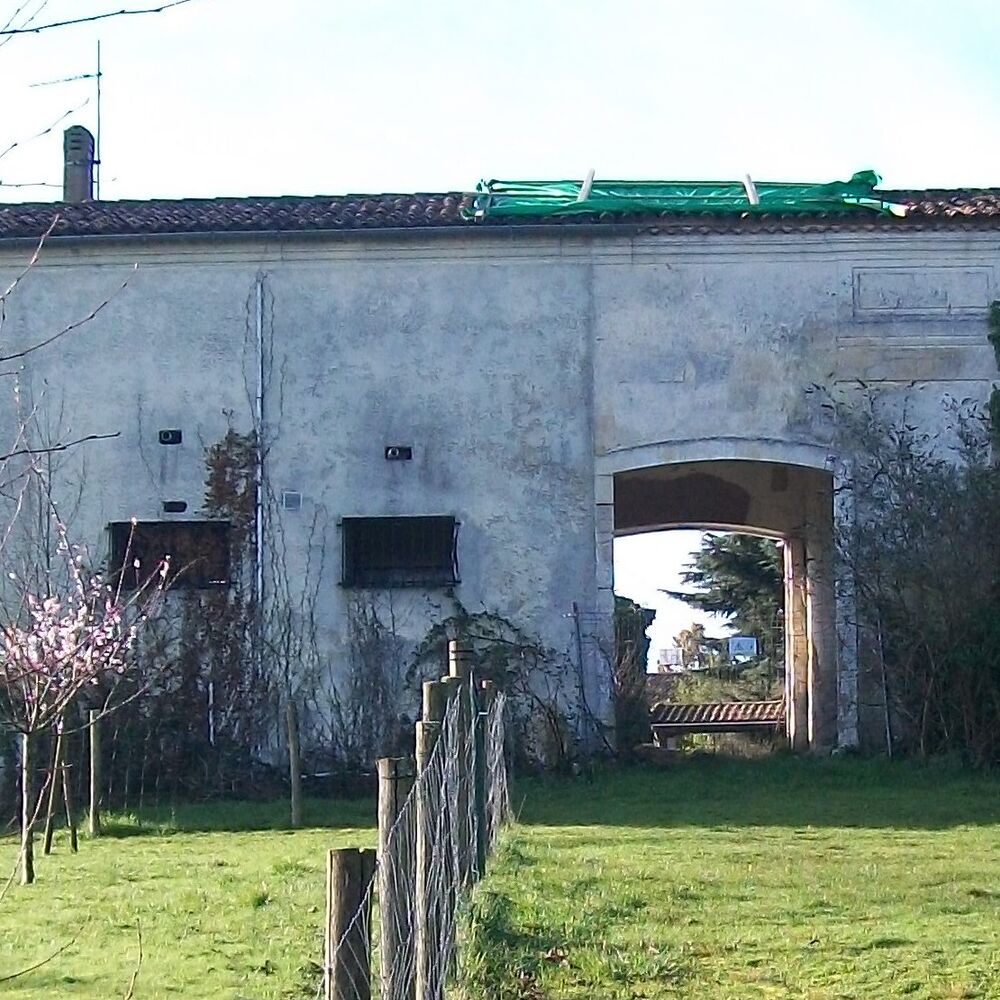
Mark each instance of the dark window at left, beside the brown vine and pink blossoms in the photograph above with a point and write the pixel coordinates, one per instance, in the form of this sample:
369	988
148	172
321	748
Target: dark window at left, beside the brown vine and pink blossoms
198	550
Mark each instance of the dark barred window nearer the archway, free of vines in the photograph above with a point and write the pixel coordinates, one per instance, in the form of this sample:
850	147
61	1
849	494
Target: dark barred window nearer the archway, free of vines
400	551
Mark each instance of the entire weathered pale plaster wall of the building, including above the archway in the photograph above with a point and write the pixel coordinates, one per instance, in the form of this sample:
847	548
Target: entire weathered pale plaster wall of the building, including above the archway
525	370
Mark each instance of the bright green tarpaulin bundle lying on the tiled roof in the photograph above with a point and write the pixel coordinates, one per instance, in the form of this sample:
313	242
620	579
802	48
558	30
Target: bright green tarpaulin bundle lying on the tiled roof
508	199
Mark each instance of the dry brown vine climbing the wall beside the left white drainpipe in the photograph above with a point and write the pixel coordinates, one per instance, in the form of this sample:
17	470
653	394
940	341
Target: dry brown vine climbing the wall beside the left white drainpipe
199	731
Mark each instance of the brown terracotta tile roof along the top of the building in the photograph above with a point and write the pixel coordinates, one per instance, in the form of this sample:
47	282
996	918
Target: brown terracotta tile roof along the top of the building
931	209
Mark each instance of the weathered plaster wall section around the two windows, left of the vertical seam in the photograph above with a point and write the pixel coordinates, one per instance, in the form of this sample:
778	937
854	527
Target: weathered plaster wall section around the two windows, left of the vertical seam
483	367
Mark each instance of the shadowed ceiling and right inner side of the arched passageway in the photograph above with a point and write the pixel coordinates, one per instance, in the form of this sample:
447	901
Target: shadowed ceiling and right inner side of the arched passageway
792	503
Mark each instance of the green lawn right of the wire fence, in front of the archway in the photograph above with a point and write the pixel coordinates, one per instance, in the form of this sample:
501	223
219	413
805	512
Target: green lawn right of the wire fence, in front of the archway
722	878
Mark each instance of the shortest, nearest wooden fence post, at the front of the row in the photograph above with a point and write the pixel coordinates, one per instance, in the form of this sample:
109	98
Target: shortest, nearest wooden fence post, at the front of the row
349	872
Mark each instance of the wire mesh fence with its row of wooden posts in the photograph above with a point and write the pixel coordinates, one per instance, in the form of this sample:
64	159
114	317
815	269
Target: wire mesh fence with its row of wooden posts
392	922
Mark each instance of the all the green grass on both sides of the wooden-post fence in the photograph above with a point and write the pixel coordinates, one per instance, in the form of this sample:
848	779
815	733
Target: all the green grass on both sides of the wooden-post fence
718	878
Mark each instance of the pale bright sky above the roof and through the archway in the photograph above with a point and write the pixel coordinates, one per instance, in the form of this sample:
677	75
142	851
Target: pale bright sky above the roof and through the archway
330	96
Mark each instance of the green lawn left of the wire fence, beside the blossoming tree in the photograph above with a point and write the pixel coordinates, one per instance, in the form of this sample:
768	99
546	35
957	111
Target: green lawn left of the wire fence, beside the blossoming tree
230	905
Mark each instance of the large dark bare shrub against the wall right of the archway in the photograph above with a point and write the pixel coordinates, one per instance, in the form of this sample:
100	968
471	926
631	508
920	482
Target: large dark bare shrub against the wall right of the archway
927	580
